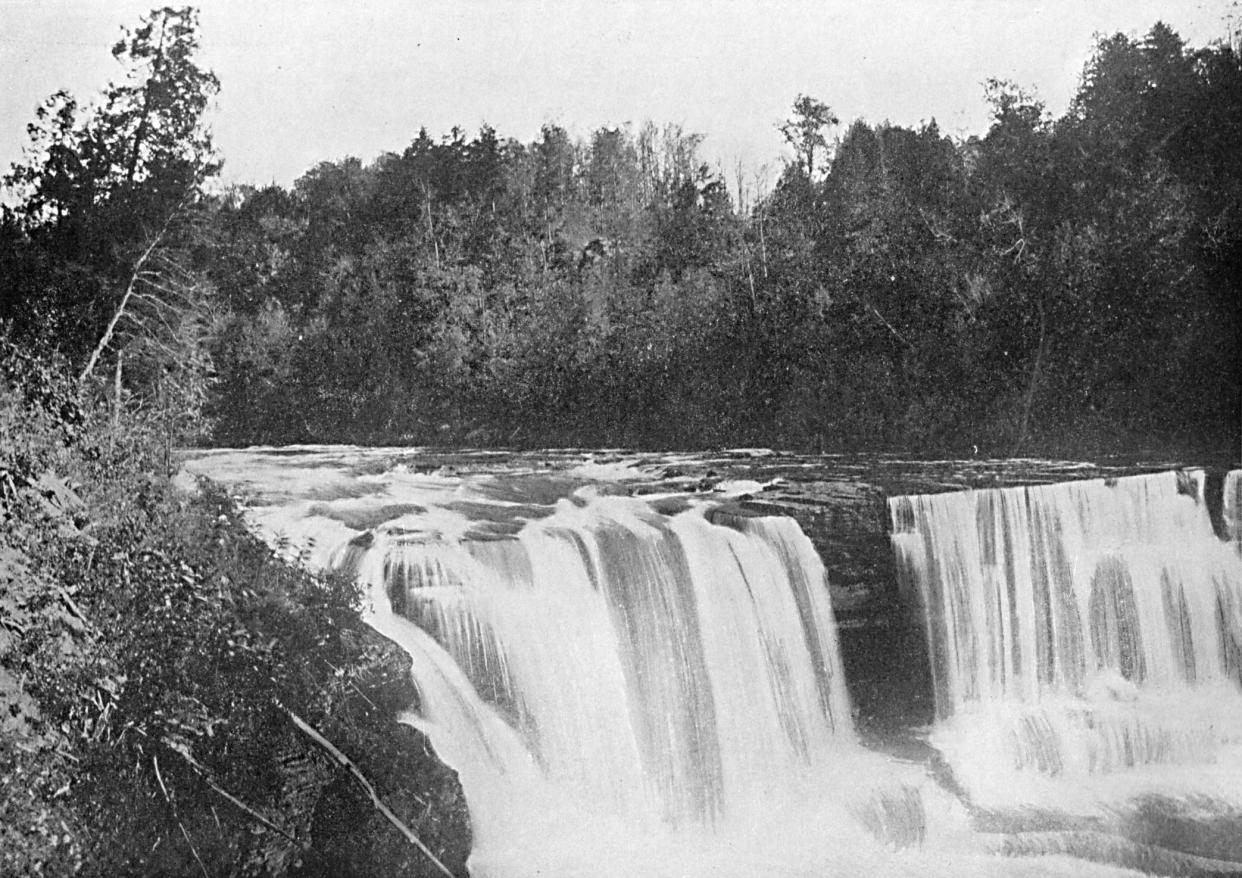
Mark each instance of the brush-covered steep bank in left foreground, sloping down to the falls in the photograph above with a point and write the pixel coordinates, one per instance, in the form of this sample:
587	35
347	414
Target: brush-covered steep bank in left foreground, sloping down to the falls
153	655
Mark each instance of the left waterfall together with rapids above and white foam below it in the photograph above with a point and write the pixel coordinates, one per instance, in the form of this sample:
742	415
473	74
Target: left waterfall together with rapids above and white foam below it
622	692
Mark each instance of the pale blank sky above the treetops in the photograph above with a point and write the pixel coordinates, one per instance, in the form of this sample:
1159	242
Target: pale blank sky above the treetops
310	81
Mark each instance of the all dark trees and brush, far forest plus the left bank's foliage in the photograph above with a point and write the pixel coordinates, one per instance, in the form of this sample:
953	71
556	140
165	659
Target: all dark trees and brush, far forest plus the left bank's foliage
1058	285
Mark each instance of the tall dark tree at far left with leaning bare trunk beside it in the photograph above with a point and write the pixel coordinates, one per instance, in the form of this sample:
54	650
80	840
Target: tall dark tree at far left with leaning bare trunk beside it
106	203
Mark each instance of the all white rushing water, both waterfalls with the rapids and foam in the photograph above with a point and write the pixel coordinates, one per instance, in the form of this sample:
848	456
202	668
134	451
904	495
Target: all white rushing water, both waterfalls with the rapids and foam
651	686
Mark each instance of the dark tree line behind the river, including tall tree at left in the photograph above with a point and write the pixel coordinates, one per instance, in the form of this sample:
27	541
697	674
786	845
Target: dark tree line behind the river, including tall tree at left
1056	284
